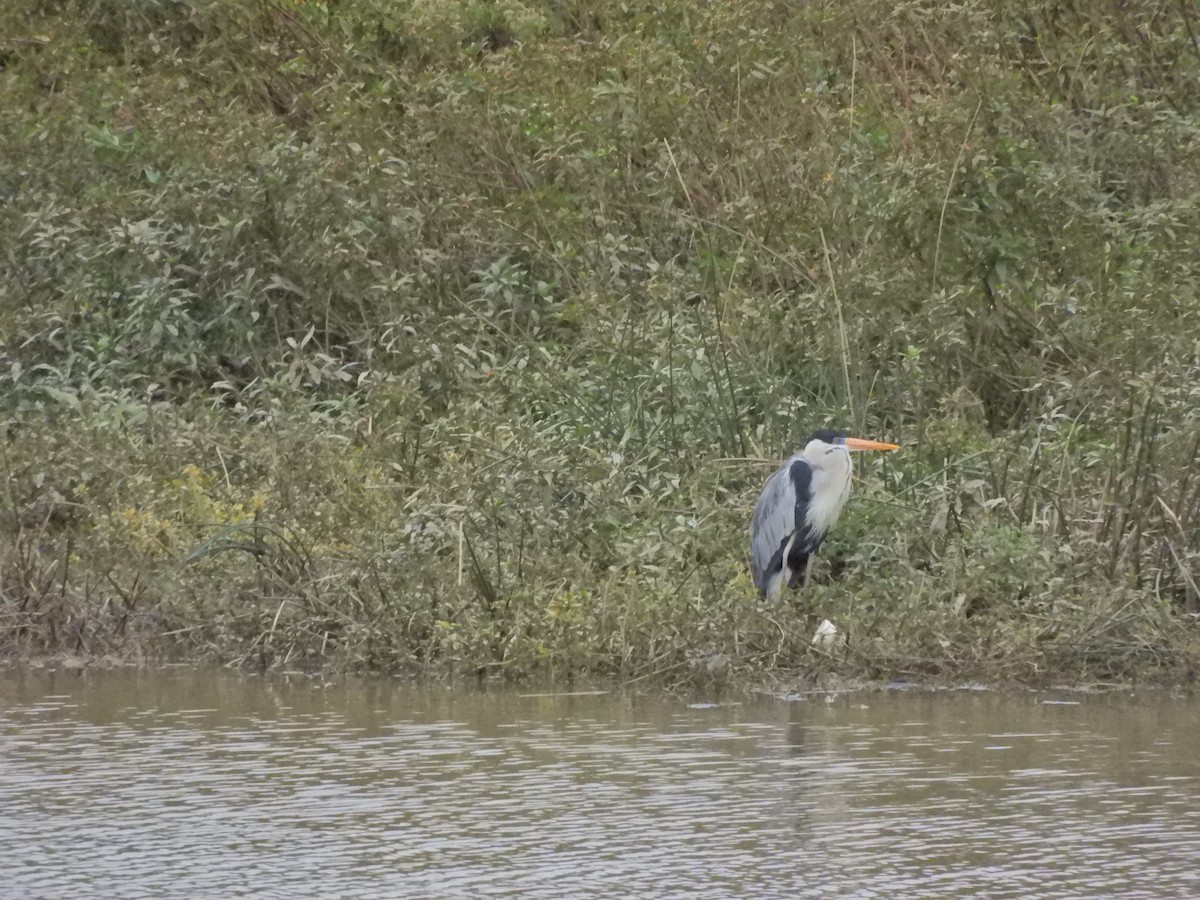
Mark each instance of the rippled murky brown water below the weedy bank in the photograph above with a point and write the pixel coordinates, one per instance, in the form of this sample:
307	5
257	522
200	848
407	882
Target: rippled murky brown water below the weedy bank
201	784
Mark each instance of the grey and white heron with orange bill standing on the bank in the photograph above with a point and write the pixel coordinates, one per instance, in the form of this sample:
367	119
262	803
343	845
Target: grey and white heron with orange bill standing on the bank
799	506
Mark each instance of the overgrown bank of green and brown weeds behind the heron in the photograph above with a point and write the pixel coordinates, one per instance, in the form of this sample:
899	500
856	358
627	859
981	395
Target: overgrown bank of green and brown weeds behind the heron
459	337
